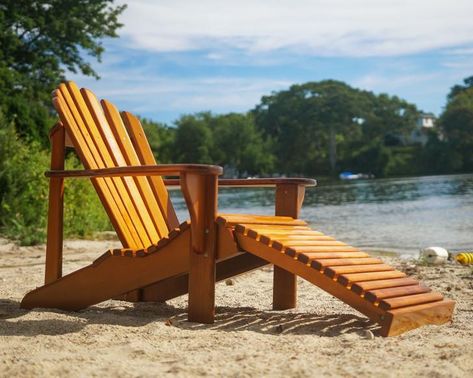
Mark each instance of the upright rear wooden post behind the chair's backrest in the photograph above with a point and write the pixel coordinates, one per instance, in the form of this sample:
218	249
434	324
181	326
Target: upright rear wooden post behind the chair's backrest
53	269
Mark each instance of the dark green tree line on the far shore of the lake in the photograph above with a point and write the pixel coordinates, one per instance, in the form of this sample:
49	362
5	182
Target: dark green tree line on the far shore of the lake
322	128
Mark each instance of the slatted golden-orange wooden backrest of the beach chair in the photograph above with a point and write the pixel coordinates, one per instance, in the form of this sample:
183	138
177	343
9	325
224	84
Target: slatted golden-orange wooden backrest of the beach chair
139	207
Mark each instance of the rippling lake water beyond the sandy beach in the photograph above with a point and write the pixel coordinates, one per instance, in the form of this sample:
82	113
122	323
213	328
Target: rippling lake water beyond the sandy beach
399	215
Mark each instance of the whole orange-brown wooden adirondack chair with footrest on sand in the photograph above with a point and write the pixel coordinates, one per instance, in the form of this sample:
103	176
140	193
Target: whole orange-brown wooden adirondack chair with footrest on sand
162	259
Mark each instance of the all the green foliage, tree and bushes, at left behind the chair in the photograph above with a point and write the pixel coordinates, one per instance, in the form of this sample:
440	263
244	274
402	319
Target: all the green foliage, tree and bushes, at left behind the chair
40	41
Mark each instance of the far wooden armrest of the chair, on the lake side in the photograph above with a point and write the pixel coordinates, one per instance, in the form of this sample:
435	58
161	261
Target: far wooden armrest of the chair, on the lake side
258	182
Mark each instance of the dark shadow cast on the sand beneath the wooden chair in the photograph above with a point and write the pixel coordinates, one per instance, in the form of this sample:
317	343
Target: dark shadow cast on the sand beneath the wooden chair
228	319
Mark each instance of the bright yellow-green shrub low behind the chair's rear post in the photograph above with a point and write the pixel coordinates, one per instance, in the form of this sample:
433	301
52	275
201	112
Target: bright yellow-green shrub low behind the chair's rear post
24	193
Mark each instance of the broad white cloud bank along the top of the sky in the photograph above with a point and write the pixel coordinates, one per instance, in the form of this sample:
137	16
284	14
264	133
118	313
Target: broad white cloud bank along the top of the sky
319	27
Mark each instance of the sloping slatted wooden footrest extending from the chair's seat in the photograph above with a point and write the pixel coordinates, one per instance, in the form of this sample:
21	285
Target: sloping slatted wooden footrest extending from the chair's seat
398	303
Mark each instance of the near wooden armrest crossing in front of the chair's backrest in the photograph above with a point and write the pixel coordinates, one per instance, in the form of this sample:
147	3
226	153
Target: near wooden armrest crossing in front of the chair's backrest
142	170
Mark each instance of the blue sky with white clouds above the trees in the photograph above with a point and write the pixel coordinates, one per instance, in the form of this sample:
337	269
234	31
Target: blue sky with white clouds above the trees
178	57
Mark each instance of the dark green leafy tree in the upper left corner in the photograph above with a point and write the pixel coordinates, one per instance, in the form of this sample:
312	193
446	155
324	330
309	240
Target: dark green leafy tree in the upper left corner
39	41
